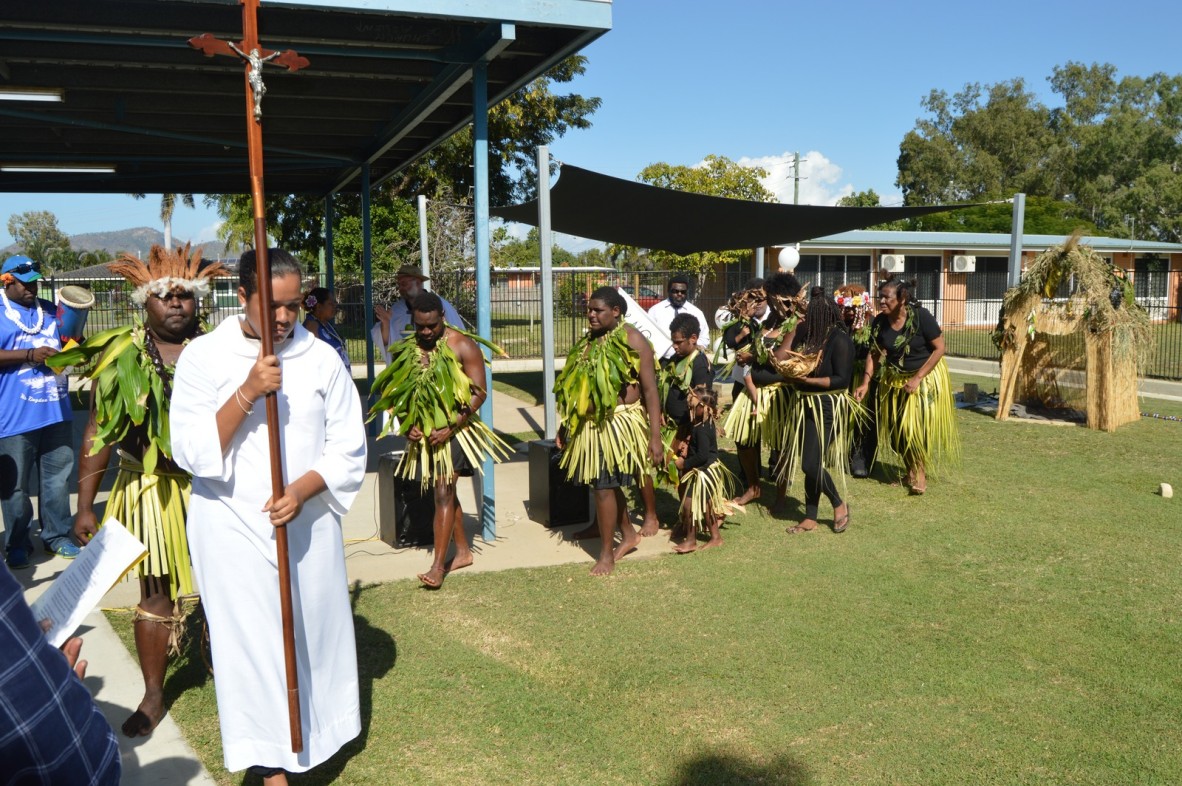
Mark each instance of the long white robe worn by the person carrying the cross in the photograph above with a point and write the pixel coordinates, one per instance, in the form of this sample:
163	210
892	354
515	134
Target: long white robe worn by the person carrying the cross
233	544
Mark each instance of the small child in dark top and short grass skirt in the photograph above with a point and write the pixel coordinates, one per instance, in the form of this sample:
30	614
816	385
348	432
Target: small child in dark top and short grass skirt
706	485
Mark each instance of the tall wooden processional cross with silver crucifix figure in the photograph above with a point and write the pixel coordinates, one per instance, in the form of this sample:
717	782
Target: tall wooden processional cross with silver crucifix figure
255	57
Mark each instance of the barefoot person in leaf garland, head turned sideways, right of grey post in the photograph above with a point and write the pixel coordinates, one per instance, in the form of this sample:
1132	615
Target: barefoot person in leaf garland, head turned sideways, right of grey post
608	398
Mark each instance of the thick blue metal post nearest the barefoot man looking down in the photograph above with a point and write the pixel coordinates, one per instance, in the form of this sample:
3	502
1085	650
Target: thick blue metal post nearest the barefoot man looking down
484	278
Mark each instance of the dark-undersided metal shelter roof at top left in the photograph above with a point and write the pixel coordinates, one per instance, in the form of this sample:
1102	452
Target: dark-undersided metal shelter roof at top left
388	81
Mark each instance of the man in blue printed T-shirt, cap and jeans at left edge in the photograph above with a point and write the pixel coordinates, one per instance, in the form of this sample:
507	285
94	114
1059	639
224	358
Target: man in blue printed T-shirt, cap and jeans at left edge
35	418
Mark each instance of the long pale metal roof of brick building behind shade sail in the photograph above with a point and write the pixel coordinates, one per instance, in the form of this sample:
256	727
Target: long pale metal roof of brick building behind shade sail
867	239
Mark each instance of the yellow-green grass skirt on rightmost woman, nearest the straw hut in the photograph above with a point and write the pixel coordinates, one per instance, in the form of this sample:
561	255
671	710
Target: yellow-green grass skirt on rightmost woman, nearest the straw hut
919	428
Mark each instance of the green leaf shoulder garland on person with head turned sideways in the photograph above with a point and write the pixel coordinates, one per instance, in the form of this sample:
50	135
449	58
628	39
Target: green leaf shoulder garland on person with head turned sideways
598	369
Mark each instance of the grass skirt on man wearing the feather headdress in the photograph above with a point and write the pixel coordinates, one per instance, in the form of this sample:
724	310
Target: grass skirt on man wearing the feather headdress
154	509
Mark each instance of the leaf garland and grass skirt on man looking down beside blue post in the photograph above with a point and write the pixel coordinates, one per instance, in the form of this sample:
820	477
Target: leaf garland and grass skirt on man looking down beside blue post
431	391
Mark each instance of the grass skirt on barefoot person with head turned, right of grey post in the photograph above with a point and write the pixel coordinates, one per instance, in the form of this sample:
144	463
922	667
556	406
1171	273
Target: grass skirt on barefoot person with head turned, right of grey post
618	445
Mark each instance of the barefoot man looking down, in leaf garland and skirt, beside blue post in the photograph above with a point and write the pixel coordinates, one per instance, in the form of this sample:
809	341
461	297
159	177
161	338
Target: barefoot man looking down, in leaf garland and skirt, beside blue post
434	387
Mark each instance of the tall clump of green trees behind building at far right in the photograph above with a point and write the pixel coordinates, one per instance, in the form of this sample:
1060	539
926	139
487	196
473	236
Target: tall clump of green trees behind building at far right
1108	160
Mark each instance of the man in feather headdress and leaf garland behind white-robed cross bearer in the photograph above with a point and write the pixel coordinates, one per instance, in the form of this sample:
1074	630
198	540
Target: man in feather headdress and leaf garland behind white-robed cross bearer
132	369
